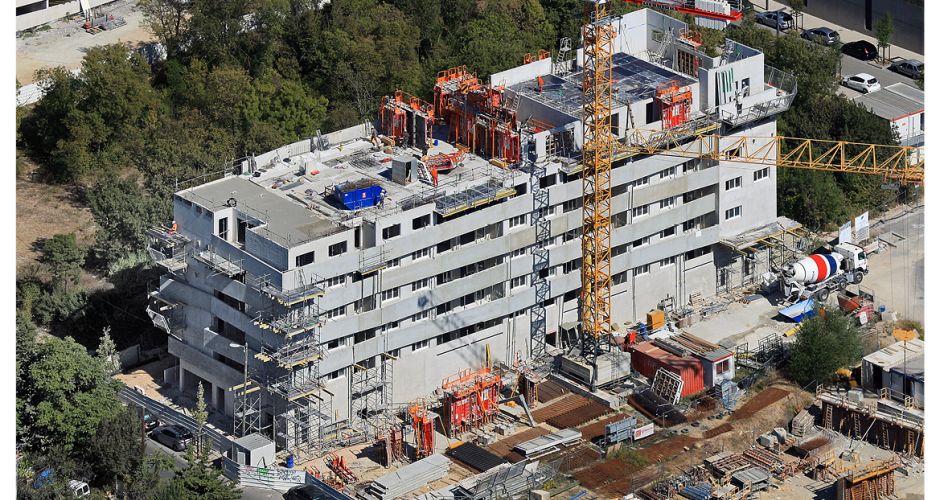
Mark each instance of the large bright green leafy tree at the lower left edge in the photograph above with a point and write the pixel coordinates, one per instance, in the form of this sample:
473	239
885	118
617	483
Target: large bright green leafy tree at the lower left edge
64	394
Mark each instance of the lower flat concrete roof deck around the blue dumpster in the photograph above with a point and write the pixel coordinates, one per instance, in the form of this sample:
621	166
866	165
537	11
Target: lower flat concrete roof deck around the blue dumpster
294	194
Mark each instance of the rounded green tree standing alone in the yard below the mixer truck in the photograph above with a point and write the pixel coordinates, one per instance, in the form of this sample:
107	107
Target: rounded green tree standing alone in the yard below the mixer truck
826	342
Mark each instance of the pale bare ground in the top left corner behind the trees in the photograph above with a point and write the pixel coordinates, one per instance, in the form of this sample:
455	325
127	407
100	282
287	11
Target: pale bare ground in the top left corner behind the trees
65	42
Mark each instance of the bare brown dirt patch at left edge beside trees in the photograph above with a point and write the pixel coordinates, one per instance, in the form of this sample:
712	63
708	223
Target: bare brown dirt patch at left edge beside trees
44	210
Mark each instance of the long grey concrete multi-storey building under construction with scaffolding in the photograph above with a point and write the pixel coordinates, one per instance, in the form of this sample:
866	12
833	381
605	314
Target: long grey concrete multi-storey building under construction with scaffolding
316	288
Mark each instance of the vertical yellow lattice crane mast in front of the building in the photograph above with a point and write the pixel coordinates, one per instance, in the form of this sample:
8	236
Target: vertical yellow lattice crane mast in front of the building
598	35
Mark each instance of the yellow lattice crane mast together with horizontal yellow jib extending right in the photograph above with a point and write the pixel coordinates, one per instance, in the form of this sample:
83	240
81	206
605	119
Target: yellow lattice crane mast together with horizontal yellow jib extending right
696	139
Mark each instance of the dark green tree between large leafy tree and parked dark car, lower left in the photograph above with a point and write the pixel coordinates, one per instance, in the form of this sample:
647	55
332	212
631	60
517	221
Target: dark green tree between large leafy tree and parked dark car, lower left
116	451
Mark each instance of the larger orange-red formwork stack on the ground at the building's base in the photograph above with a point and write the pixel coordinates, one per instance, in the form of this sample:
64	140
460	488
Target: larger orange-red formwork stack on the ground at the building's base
470	399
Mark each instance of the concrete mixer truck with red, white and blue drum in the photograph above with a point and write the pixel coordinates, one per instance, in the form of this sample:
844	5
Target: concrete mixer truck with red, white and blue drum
817	275
